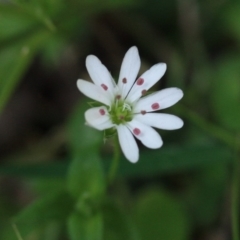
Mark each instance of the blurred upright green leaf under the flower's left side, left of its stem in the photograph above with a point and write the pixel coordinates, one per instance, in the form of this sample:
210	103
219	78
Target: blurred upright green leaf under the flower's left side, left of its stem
85	175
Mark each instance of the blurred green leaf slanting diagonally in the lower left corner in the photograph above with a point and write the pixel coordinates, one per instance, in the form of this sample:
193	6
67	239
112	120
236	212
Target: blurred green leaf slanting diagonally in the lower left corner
56	206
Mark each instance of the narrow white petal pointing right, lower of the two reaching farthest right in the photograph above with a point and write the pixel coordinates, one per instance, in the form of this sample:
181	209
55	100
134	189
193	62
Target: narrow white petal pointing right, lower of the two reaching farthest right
160	120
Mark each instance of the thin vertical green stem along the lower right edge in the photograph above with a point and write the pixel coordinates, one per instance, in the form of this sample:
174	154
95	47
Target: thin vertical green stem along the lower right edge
235	196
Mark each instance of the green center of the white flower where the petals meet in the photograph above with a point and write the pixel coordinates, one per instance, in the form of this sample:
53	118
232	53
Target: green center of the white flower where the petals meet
121	112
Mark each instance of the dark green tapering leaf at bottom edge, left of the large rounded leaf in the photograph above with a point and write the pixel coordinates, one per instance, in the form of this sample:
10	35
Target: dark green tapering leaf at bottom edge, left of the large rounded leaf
117	225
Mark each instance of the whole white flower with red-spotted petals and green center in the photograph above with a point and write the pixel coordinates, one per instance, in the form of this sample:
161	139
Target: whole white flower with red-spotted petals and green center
124	105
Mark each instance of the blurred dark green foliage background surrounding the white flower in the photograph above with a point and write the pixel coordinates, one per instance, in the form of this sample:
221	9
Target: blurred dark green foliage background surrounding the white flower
54	170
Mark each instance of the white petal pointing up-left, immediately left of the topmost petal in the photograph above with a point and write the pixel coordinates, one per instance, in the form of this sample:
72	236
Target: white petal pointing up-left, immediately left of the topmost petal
99	74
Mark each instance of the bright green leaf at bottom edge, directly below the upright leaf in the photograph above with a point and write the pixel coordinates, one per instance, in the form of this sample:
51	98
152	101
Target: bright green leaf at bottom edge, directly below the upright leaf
81	227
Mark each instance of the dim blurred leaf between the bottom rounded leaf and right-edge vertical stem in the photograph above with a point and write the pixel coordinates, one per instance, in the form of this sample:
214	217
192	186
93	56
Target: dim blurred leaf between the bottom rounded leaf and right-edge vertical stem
205	195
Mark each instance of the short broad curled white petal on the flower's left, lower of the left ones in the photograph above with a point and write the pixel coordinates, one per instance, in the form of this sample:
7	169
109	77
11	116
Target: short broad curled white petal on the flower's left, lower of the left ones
97	120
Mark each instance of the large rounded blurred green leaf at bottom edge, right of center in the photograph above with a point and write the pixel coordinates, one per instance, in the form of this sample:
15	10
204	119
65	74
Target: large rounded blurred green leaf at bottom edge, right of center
158	215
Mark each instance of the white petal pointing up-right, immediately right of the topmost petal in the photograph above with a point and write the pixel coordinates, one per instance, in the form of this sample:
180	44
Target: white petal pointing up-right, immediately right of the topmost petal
149	78
